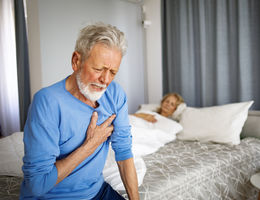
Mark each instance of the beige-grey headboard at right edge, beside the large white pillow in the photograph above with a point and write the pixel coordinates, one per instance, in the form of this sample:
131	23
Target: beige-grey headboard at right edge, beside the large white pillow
252	125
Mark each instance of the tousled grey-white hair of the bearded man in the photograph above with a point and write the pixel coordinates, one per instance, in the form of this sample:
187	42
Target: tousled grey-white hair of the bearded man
100	33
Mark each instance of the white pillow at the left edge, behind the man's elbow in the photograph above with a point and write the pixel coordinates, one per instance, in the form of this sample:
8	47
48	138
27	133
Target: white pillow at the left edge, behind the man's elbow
11	155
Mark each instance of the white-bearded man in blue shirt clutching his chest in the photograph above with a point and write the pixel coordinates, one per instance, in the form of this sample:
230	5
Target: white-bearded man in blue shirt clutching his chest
71	123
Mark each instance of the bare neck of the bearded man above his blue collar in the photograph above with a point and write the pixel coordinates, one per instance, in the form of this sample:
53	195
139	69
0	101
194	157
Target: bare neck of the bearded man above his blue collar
72	86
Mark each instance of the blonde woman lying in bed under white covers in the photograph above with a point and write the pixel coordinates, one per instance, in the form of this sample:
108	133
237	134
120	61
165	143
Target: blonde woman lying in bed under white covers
168	105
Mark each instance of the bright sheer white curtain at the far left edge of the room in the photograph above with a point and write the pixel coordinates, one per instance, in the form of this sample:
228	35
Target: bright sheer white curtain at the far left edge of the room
9	103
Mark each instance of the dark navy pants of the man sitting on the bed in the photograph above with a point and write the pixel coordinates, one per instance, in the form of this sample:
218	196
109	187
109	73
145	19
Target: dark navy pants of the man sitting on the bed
107	193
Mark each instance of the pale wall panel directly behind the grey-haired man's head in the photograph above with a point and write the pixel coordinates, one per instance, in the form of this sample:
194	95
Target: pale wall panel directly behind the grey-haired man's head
53	26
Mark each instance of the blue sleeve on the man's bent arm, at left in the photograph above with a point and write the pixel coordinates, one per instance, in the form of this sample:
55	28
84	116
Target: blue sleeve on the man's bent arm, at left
41	139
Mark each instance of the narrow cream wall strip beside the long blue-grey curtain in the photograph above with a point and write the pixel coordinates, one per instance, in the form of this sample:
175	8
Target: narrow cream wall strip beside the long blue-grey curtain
152	14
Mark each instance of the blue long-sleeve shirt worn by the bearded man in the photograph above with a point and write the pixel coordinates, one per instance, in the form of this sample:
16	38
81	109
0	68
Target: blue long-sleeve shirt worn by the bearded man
56	126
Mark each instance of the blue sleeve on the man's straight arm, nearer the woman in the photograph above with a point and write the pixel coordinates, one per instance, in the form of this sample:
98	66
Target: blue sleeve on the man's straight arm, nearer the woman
121	138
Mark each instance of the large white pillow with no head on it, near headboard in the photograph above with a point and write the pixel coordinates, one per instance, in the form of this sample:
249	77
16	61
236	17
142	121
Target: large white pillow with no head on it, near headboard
221	124
